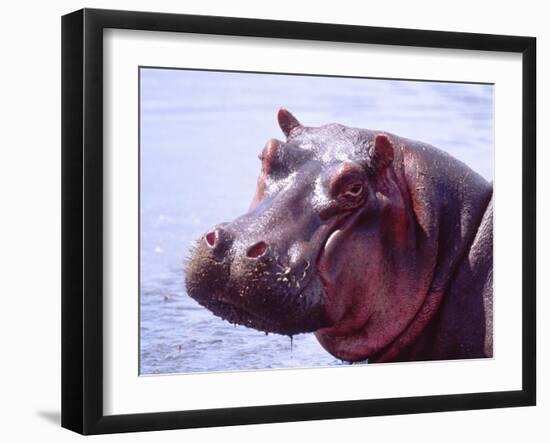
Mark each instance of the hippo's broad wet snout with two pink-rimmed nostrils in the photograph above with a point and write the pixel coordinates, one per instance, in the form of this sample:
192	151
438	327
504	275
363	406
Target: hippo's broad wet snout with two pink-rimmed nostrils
246	280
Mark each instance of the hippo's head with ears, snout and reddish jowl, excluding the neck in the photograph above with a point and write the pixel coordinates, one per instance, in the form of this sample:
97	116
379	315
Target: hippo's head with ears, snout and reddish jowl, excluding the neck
312	253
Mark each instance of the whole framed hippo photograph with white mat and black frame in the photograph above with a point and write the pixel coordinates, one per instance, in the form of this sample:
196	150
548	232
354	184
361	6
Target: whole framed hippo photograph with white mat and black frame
269	221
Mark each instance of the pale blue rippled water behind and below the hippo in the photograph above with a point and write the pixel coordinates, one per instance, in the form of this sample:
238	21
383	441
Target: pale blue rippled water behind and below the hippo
201	133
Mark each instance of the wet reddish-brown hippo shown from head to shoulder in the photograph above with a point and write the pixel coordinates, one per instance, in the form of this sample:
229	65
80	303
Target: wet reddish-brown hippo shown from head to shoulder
379	245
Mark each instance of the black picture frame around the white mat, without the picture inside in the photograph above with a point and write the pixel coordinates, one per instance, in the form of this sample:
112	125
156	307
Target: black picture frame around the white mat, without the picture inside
82	218
